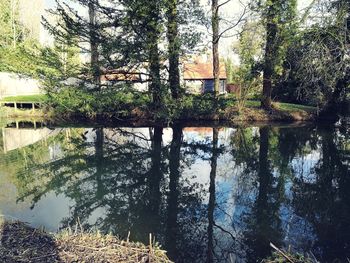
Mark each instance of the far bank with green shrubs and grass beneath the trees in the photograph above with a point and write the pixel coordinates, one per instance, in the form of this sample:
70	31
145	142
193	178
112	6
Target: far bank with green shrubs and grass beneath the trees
137	107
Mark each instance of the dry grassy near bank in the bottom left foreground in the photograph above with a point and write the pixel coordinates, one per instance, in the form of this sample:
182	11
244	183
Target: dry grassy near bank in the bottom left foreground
21	243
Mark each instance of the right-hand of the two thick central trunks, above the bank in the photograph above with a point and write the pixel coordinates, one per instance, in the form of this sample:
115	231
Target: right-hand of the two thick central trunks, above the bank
173	49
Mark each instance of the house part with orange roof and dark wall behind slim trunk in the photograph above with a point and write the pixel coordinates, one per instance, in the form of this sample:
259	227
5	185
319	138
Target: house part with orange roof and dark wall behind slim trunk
198	77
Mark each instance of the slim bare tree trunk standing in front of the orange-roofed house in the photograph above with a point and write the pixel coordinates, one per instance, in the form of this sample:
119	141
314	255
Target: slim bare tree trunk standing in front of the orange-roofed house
215	28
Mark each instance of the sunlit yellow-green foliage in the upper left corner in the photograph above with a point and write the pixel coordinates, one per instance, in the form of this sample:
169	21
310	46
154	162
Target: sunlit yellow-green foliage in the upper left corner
23	55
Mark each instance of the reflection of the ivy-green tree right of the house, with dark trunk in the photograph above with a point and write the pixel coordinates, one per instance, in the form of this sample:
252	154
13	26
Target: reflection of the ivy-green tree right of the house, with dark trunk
265	157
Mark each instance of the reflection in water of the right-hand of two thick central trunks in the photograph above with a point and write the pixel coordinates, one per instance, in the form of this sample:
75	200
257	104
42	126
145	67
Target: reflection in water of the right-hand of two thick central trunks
174	167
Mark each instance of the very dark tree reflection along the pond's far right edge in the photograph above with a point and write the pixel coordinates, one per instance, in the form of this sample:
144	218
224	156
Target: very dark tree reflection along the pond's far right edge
325	200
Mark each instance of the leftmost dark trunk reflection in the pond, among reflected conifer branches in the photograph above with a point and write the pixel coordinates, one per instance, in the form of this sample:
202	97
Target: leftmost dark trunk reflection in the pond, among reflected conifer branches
99	161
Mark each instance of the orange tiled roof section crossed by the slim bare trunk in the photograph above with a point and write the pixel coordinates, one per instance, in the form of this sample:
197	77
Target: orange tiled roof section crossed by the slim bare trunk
198	71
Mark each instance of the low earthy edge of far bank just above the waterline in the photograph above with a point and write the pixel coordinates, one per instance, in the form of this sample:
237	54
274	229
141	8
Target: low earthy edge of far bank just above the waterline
228	116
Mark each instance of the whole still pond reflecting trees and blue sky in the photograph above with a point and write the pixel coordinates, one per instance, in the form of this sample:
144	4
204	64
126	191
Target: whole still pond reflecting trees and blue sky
206	194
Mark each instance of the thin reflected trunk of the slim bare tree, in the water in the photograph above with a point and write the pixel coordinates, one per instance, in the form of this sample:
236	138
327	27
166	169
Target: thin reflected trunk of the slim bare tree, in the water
211	205
